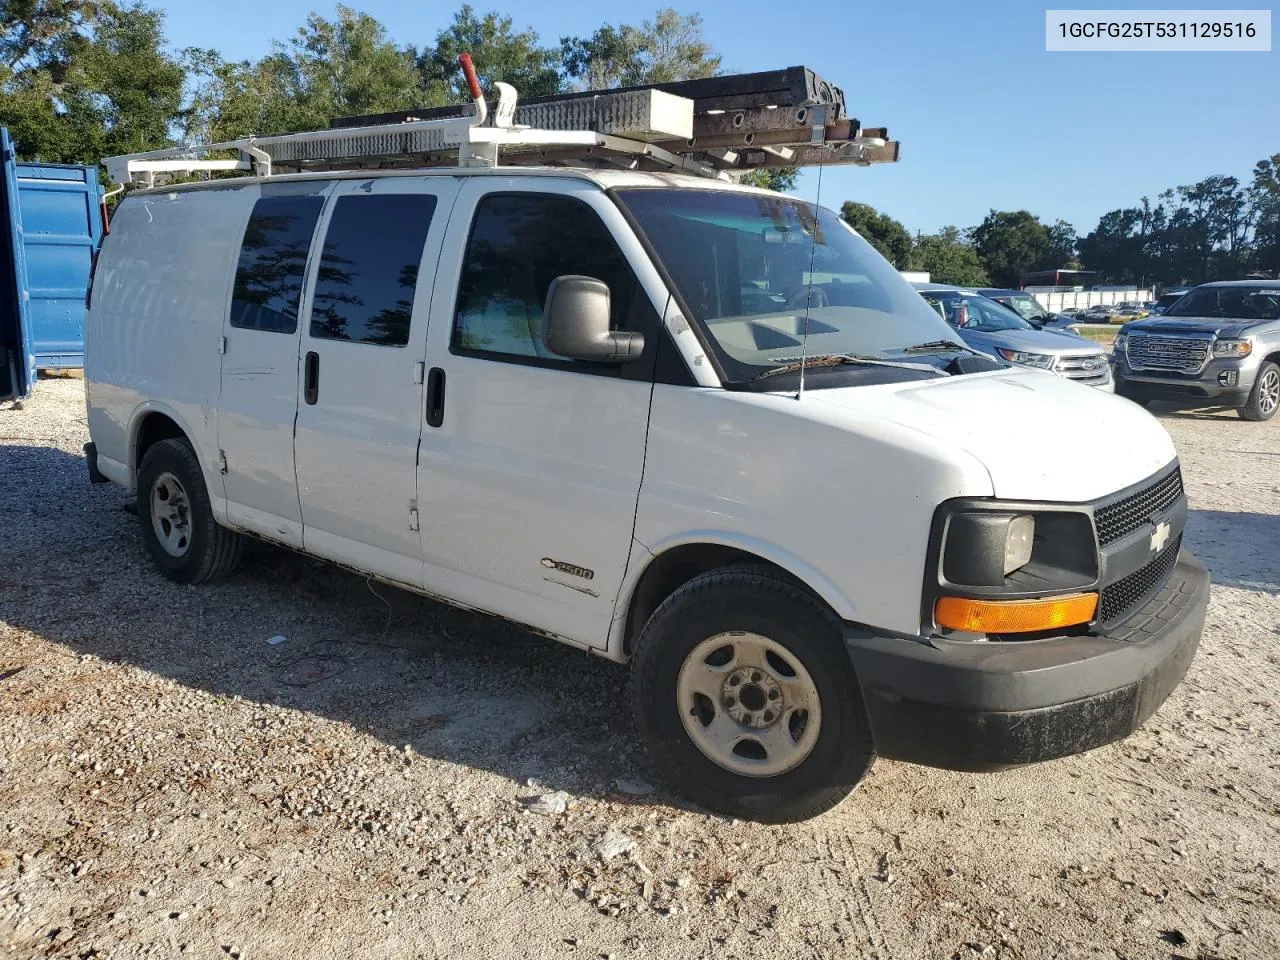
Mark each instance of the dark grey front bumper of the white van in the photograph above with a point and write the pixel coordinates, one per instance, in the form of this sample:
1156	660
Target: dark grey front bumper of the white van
988	706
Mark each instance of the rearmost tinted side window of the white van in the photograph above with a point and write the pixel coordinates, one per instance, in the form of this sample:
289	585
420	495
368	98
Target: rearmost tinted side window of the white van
273	263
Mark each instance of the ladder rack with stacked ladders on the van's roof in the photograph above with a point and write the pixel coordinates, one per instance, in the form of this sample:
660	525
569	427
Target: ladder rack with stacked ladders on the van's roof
719	127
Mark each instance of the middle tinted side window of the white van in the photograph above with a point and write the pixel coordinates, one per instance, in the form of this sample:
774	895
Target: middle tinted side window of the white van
369	268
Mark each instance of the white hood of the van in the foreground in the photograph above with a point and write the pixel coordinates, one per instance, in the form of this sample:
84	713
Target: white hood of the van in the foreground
1040	437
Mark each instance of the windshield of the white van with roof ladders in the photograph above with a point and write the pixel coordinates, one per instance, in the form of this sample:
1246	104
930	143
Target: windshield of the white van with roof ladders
747	264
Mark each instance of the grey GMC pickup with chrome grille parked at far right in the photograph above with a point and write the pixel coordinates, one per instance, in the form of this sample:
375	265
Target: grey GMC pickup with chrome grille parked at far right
1218	346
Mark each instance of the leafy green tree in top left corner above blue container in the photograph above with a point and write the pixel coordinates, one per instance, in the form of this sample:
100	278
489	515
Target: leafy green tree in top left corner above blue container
81	81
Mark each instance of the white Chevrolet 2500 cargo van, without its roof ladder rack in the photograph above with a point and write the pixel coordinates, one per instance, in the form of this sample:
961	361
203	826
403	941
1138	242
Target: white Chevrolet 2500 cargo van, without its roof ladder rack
675	422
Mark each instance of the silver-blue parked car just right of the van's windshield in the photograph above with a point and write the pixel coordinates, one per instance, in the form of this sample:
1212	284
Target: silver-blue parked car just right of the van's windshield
998	331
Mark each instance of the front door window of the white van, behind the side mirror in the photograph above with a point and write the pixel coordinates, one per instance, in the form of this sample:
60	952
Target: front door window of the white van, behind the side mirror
520	243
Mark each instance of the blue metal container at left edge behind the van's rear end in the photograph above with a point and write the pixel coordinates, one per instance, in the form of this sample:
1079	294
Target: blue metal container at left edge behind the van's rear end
51	227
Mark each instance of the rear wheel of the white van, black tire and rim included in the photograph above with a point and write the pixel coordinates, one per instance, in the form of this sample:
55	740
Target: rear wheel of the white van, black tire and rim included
177	518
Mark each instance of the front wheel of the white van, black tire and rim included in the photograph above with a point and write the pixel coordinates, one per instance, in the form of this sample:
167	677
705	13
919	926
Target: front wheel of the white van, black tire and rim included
747	698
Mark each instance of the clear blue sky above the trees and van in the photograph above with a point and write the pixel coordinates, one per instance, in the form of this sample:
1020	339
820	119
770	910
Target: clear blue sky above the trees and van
986	117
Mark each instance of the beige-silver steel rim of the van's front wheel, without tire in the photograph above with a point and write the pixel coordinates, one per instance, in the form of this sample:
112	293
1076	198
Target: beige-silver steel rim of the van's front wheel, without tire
749	705
